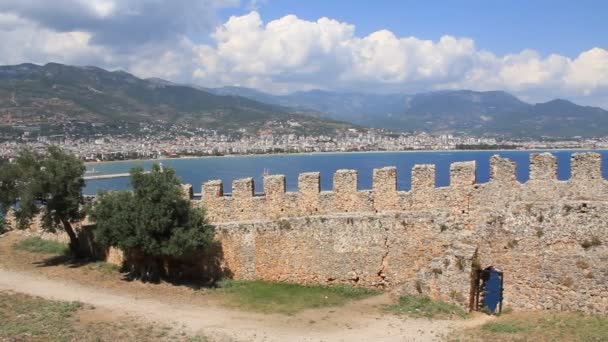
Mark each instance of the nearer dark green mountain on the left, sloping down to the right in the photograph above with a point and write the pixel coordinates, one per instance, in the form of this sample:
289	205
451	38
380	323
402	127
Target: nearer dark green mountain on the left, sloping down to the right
54	93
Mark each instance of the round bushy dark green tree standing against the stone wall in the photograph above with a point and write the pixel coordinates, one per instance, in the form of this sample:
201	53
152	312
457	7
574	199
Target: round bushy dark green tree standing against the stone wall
154	220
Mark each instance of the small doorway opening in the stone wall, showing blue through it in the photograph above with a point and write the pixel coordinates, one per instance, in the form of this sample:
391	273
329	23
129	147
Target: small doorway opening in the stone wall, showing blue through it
488	290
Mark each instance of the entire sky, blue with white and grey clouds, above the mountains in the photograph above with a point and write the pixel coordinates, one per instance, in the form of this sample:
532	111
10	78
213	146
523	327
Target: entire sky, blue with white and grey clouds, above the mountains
538	50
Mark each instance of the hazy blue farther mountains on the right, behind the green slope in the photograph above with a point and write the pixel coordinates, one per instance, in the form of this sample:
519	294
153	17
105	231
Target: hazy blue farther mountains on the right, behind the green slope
491	112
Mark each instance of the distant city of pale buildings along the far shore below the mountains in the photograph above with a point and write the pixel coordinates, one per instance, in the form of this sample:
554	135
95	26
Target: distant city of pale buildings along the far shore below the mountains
152	142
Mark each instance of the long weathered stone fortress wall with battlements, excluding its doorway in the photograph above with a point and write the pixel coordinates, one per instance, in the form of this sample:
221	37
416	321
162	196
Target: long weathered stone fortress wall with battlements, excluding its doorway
549	237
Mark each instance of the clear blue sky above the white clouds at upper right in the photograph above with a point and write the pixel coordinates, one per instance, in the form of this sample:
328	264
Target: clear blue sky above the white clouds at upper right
566	27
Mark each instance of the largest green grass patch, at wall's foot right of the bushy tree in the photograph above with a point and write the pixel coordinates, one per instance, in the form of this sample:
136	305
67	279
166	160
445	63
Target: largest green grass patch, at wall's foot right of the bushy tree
288	298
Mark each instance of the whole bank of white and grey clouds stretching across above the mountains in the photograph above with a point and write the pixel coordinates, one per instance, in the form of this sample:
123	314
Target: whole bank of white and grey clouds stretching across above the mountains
281	55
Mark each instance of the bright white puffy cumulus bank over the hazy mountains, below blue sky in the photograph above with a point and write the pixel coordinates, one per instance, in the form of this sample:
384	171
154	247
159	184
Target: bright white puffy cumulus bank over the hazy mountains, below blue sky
289	54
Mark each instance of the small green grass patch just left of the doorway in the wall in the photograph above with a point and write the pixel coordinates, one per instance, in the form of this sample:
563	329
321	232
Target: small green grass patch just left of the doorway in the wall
419	306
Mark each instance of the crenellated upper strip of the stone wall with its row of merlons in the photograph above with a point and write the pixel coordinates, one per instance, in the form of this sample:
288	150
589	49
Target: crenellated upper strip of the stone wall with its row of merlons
243	204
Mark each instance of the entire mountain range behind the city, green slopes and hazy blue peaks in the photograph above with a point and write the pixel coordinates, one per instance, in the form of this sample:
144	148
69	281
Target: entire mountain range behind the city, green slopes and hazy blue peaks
54	92
